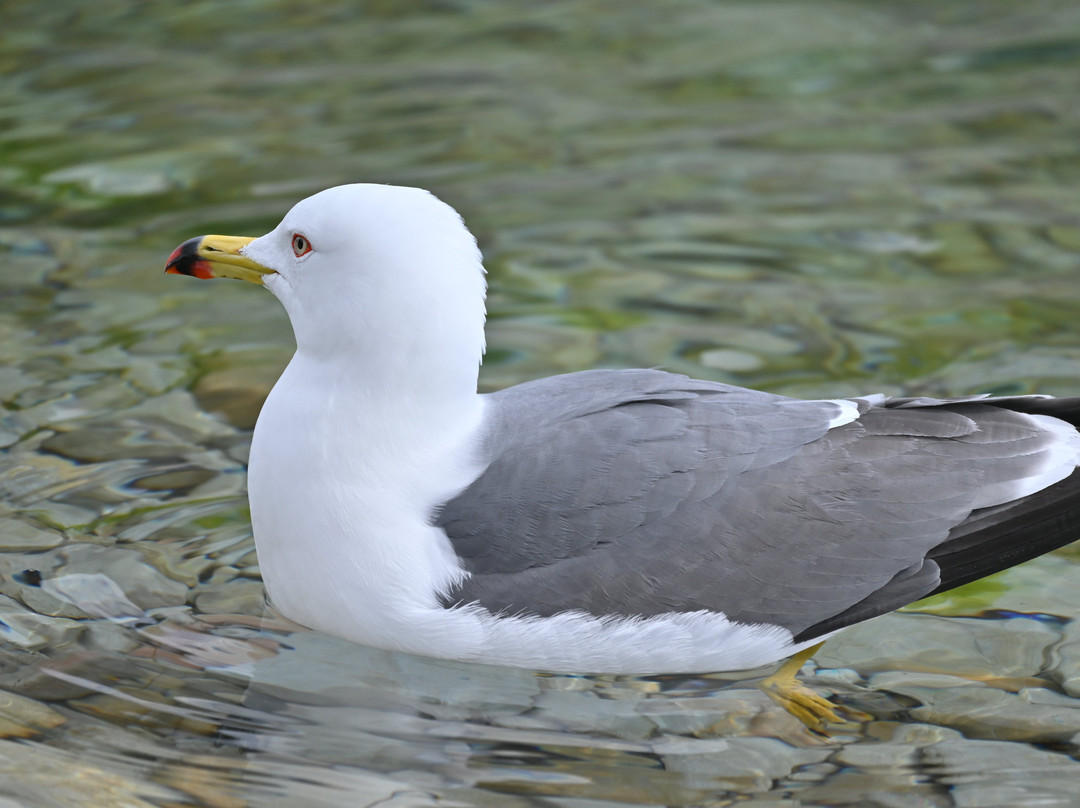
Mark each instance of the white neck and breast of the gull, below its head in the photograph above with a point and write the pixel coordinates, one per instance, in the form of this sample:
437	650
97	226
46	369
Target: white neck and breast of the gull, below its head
387	562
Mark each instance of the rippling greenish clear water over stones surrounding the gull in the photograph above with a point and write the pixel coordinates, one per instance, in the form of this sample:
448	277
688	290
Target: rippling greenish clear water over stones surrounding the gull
817	198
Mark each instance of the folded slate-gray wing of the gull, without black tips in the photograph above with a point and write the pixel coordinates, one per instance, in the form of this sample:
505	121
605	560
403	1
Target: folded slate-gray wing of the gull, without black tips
639	493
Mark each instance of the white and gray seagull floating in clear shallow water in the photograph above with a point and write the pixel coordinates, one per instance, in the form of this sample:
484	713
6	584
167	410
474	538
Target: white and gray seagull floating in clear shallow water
607	521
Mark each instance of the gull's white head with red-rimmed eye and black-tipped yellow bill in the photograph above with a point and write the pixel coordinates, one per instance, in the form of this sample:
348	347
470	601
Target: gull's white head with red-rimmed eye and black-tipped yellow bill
385	281
